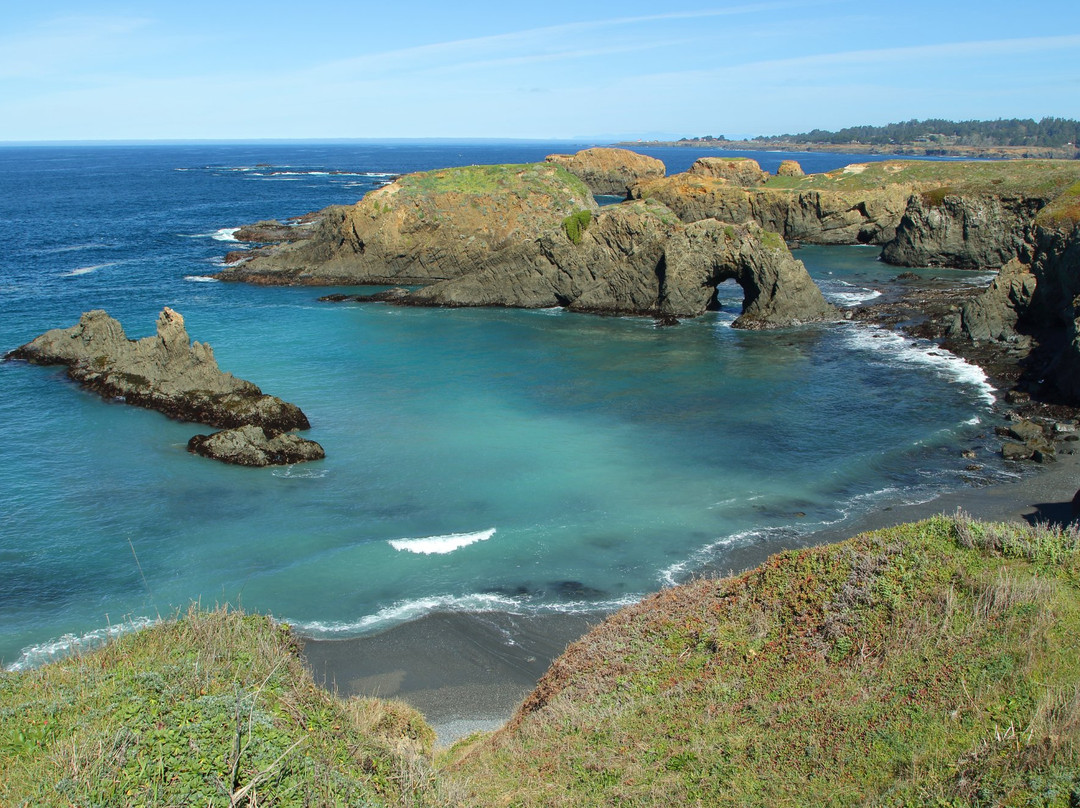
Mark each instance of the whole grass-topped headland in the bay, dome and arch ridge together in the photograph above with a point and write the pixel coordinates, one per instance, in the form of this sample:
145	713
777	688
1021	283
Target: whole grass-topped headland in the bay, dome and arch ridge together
533	237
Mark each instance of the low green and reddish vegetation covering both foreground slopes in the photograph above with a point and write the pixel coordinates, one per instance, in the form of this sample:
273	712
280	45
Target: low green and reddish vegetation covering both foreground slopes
935	664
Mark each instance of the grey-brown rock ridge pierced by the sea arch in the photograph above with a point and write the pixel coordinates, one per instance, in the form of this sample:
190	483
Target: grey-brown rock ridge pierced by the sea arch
640	259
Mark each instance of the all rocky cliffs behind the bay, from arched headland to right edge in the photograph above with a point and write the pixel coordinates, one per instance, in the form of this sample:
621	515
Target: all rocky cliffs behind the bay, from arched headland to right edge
532	236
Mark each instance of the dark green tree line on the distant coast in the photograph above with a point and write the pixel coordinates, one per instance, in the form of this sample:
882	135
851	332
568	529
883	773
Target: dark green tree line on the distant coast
1011	132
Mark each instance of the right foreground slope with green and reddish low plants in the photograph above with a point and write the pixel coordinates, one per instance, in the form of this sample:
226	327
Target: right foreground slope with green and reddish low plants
936	664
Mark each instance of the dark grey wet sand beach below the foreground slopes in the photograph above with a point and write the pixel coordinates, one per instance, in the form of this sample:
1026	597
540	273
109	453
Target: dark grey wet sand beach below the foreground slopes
468	672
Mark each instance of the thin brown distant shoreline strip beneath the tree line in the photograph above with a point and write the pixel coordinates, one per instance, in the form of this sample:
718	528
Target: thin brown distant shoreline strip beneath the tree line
997	153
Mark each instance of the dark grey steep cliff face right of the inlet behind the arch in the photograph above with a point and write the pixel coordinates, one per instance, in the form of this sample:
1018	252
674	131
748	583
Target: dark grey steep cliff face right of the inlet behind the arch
968	231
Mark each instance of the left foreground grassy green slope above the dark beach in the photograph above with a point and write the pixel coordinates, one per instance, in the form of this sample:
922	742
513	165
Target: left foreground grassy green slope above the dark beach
215	709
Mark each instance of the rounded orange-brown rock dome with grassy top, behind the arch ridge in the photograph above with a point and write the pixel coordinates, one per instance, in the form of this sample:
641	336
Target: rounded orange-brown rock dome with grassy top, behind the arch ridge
424	227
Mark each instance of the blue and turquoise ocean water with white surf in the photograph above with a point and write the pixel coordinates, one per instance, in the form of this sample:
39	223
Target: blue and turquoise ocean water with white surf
552	461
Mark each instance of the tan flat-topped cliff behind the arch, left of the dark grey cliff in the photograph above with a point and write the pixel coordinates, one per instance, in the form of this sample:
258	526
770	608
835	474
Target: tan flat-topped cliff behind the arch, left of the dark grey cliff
814	217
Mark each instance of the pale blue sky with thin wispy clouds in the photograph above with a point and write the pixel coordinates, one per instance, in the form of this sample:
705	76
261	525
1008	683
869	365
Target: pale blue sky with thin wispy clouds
600	70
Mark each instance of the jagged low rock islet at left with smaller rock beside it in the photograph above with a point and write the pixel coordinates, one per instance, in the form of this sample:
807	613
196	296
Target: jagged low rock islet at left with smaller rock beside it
172	375
